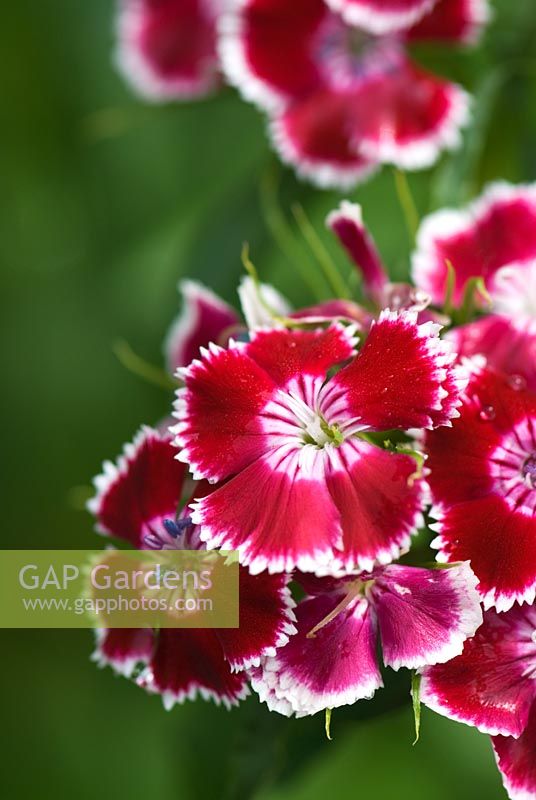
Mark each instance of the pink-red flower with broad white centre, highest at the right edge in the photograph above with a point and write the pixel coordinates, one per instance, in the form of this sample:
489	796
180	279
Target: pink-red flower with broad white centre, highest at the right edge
494	239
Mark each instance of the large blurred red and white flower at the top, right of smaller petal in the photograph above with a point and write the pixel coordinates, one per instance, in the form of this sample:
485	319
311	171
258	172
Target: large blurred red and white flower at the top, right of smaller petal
340	89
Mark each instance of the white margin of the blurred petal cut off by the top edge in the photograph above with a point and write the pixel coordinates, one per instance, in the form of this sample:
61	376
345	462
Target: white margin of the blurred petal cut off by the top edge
360	14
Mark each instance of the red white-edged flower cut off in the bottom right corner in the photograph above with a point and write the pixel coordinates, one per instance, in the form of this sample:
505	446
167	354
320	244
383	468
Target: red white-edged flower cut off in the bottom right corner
492	686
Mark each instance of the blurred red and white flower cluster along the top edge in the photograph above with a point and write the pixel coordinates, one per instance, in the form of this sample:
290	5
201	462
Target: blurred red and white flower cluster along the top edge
336	78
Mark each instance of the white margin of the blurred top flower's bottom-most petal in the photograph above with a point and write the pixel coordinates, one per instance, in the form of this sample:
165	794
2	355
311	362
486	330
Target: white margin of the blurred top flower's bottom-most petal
323	174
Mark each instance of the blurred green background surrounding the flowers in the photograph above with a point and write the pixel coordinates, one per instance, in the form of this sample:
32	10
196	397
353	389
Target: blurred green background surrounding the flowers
106	203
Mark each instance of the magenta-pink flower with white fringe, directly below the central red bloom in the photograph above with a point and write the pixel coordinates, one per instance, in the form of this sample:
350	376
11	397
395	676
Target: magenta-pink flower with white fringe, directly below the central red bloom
420	616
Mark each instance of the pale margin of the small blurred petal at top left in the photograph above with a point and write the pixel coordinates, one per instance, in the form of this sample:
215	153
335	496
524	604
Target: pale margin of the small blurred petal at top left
137	71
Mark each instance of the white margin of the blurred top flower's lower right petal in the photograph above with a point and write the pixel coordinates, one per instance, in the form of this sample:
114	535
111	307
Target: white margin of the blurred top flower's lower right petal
425	150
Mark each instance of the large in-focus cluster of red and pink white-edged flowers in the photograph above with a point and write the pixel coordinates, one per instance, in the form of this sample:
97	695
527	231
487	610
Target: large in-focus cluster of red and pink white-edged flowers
298	440
